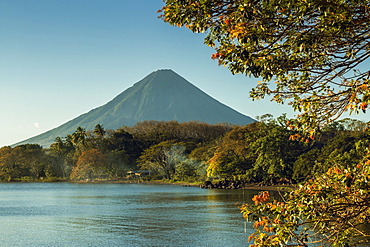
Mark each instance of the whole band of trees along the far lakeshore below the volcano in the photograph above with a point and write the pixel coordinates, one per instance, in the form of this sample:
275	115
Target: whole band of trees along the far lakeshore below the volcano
263	153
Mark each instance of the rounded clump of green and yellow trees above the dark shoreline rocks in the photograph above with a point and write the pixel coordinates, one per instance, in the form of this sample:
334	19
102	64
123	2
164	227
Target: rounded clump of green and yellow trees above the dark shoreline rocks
262	151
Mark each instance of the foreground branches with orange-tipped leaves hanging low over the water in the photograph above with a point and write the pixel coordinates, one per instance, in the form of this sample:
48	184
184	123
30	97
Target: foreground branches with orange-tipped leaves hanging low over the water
328	211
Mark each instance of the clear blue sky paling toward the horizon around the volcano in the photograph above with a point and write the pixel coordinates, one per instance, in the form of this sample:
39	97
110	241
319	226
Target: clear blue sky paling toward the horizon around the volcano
62	58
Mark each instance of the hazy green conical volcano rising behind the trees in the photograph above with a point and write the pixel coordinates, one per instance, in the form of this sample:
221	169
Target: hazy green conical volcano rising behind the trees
163	95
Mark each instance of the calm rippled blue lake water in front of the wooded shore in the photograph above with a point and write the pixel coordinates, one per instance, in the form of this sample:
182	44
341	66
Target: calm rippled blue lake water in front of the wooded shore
67	214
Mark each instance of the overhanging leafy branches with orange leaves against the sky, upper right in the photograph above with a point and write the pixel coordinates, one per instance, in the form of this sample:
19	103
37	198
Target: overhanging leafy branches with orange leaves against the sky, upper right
310	49
